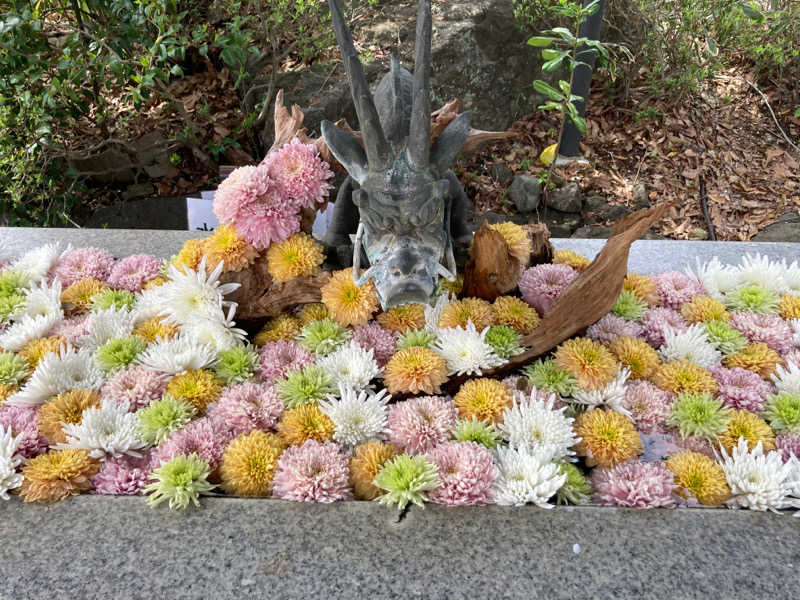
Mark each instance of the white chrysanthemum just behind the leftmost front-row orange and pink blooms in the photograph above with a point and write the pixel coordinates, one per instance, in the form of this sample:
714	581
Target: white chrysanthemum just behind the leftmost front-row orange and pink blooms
110	430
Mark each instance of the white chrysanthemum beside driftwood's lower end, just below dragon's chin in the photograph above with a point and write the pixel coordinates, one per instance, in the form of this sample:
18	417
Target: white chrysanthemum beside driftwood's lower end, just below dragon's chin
465	350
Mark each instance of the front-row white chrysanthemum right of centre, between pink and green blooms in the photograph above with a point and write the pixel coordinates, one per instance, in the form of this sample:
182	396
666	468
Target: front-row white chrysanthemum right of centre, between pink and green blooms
526	477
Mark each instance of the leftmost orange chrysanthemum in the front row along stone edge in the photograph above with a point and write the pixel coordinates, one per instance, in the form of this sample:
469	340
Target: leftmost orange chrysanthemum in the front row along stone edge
57	475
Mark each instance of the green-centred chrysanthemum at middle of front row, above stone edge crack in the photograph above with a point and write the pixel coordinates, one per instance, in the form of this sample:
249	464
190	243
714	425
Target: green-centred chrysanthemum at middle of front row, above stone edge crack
406	479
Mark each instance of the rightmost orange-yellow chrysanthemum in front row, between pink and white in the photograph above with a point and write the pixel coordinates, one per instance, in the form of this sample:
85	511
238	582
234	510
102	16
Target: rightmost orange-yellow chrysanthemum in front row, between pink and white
700	476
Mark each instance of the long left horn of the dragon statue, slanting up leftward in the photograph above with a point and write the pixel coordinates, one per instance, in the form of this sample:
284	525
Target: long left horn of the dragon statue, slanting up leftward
375	144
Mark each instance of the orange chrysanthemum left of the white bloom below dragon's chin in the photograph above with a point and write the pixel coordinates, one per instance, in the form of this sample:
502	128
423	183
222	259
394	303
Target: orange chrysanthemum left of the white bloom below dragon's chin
414	370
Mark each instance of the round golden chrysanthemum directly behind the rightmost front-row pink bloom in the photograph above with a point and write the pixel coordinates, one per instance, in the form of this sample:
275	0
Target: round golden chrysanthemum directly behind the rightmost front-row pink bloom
607	438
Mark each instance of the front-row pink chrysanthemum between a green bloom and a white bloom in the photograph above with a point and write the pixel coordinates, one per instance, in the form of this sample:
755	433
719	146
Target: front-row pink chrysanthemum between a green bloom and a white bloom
466	472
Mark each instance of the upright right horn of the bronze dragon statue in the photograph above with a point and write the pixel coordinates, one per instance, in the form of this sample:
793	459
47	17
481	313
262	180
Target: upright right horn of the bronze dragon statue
419	135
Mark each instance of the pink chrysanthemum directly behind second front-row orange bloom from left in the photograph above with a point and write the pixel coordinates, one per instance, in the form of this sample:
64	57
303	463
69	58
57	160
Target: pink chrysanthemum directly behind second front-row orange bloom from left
247	406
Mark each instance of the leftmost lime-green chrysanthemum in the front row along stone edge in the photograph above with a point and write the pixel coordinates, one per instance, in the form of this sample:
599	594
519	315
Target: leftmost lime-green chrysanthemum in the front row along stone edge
181	481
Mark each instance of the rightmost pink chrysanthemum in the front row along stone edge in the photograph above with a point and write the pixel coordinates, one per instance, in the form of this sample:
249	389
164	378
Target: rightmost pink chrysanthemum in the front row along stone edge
634	484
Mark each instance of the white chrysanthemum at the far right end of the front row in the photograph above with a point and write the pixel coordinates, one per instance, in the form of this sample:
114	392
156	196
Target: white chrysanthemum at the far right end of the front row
758	481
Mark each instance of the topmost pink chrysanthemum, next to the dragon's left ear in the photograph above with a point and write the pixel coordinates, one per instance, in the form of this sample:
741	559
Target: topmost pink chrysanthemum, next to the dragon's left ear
300	172
